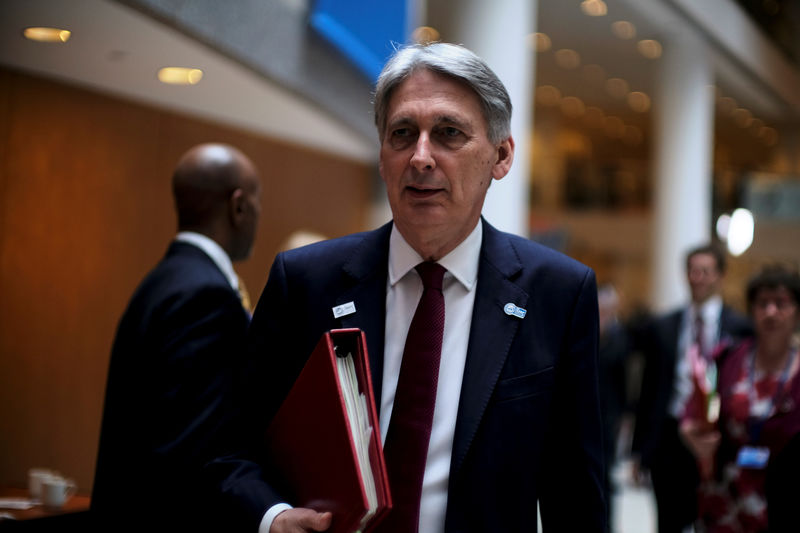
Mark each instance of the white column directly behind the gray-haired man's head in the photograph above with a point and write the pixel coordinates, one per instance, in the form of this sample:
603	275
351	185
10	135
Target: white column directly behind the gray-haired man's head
497	31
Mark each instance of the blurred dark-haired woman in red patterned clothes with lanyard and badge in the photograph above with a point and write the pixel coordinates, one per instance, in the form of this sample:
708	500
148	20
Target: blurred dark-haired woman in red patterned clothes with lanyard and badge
759	394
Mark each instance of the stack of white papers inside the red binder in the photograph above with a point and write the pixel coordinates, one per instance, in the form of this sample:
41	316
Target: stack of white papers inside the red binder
360	430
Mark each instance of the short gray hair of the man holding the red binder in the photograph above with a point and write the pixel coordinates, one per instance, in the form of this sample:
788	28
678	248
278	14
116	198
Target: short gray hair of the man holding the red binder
455	62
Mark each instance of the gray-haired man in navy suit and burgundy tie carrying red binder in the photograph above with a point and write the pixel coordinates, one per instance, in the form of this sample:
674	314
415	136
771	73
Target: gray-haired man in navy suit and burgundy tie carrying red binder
516	418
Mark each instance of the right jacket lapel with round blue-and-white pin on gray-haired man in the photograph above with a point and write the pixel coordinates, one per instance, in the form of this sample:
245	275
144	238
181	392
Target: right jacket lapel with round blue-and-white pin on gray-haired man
491	335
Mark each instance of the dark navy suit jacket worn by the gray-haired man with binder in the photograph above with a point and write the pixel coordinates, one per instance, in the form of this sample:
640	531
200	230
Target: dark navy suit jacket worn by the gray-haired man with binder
528	424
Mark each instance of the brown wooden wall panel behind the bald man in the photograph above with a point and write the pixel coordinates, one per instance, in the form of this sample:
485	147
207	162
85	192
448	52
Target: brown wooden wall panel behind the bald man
86	212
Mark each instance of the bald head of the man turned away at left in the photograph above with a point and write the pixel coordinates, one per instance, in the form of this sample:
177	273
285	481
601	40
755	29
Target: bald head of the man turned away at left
217	190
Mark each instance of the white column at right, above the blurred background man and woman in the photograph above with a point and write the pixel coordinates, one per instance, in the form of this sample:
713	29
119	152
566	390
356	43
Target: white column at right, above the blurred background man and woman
683	128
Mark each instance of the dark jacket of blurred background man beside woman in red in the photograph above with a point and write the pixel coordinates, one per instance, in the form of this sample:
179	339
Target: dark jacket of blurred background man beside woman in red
656	439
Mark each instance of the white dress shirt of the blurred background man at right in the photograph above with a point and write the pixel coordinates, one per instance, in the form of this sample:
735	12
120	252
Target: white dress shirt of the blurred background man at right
710	311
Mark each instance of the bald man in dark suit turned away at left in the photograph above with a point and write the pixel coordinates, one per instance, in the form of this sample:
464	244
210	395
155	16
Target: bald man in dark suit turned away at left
177	354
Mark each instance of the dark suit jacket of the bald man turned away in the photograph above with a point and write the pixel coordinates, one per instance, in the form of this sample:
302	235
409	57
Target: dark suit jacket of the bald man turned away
174	366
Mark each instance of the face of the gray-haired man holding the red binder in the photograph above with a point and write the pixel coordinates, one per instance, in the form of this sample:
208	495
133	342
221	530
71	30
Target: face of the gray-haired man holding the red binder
437	161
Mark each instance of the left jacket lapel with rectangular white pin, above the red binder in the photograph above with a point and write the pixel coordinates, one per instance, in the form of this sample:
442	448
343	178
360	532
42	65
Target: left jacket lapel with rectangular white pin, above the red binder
367	271
